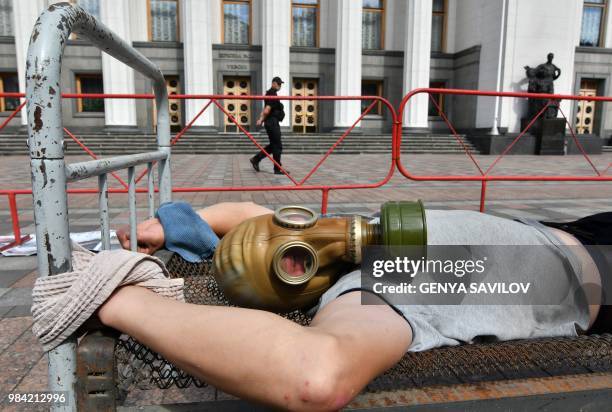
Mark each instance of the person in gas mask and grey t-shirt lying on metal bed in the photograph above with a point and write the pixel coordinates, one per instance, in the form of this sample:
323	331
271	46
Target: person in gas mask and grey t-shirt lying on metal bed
291	258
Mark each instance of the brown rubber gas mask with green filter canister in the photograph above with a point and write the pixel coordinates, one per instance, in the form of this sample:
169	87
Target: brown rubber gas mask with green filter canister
287	260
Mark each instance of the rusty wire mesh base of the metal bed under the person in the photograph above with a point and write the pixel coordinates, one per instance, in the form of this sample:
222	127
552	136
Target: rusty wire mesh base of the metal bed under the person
458	370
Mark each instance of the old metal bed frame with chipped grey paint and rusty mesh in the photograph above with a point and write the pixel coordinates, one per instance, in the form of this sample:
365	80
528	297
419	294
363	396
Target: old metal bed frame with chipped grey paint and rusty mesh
103	367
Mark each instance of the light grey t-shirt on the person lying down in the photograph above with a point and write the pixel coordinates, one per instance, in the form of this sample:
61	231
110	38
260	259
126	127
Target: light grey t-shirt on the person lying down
444	325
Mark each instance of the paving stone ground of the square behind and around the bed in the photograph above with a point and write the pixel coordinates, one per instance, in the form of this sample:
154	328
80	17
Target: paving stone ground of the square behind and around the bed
23	365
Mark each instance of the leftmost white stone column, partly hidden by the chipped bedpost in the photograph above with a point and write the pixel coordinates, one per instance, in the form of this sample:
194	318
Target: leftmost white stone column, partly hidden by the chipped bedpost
25	14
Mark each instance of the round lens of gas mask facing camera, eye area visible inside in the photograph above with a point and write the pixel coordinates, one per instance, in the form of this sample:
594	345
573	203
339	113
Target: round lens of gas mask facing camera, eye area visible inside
295	263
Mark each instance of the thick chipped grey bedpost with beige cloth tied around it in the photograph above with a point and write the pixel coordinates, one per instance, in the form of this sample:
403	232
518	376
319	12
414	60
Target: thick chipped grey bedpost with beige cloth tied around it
49	181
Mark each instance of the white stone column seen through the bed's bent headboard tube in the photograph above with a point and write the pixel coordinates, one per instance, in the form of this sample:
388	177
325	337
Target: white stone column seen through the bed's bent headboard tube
118	77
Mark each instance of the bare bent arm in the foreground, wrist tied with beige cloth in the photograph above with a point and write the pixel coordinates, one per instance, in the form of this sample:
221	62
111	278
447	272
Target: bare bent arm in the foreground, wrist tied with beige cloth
263	357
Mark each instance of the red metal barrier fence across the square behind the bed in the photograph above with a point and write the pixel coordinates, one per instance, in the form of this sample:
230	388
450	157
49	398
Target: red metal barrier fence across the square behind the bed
484	176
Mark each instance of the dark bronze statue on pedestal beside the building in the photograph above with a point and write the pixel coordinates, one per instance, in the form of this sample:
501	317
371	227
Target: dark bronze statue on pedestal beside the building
541	80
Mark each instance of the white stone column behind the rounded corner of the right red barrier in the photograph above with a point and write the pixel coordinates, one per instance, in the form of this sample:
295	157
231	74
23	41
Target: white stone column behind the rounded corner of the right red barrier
417	57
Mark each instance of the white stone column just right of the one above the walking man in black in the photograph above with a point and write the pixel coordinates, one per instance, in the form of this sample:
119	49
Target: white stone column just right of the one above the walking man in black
348	62
